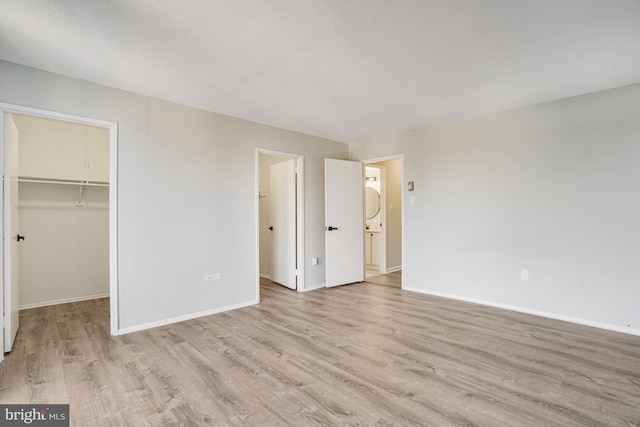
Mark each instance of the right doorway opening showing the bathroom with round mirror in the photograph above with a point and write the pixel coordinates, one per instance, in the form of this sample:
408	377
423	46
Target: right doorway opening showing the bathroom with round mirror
383	221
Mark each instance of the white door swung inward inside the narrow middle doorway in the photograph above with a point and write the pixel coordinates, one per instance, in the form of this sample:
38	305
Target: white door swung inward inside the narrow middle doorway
282	194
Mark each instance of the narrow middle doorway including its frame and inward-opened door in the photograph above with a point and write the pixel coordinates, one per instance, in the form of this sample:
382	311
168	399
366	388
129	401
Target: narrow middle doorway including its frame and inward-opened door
280	224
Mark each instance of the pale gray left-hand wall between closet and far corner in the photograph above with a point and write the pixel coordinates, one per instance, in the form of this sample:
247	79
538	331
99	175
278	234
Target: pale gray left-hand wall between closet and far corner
187	196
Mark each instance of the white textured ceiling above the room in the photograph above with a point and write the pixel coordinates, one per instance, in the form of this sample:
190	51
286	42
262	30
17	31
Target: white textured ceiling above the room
345	70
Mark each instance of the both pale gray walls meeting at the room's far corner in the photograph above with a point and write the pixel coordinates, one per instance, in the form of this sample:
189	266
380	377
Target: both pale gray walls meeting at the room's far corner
551	188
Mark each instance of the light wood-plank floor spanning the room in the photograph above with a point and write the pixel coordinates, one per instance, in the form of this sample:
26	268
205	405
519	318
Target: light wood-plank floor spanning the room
361	354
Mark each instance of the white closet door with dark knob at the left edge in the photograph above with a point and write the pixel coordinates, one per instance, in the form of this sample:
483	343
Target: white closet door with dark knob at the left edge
10	232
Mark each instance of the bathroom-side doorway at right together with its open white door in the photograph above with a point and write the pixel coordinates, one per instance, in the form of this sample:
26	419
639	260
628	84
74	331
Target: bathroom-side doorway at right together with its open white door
346	227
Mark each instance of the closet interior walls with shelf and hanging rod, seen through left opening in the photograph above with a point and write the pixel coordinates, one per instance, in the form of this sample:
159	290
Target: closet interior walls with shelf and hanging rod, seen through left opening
63	211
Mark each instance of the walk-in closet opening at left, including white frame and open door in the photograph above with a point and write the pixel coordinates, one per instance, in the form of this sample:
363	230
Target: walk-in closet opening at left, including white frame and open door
57	214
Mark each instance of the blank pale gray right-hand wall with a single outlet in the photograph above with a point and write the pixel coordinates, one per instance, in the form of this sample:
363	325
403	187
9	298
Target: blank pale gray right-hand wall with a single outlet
552	188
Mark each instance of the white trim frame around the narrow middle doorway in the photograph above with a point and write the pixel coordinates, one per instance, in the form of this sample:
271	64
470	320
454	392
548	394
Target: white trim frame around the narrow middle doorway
299	215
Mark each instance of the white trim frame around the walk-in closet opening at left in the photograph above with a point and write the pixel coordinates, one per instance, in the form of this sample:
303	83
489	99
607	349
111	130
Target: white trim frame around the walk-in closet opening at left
6	108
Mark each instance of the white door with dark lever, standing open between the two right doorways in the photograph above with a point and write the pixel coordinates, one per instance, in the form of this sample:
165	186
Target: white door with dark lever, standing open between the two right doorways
344	221
